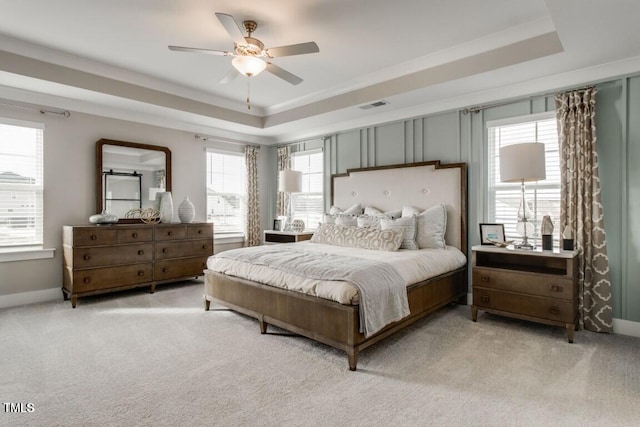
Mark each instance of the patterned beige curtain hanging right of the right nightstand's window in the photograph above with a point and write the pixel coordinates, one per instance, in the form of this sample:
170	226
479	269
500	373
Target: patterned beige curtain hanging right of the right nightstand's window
581	206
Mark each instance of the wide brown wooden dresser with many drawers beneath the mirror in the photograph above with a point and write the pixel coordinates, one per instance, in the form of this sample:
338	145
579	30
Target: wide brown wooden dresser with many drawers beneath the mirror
100	259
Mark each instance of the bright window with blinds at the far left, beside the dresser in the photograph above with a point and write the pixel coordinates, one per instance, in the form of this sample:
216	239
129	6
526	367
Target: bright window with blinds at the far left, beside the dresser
21	185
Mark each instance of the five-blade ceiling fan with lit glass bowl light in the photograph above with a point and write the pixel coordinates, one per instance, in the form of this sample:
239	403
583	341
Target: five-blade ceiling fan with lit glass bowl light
250	55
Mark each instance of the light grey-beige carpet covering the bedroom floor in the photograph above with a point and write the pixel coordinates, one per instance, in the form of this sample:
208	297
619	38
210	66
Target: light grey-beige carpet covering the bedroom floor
139	359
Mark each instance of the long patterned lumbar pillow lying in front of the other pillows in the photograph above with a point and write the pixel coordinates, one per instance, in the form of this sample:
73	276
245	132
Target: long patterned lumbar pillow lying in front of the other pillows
364	238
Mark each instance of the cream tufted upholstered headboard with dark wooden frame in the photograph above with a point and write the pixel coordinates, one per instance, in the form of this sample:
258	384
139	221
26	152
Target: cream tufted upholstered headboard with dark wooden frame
413	184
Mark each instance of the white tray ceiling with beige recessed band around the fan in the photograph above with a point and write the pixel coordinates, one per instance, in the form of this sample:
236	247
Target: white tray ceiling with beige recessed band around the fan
111	58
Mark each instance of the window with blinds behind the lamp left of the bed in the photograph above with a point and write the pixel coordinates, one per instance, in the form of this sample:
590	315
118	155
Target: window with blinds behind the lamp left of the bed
308	205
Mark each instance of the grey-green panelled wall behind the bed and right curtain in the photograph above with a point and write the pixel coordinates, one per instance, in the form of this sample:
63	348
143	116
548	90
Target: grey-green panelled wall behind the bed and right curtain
457	137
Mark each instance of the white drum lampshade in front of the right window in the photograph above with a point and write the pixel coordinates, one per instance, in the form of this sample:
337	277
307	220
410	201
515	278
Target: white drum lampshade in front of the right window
522	162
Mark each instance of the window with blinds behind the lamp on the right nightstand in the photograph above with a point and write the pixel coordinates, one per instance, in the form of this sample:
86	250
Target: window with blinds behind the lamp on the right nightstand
543	197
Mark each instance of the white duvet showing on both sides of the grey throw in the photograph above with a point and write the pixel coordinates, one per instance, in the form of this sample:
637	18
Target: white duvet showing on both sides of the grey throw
413	266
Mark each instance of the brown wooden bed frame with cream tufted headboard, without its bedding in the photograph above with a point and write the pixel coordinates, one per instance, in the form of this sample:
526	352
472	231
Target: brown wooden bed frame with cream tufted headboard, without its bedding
339	323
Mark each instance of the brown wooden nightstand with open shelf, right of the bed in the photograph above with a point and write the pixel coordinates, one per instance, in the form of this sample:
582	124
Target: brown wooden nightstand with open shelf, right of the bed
540	286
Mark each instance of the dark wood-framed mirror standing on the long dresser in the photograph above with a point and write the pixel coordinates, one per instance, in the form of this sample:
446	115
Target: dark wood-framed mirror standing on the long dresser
129	175
